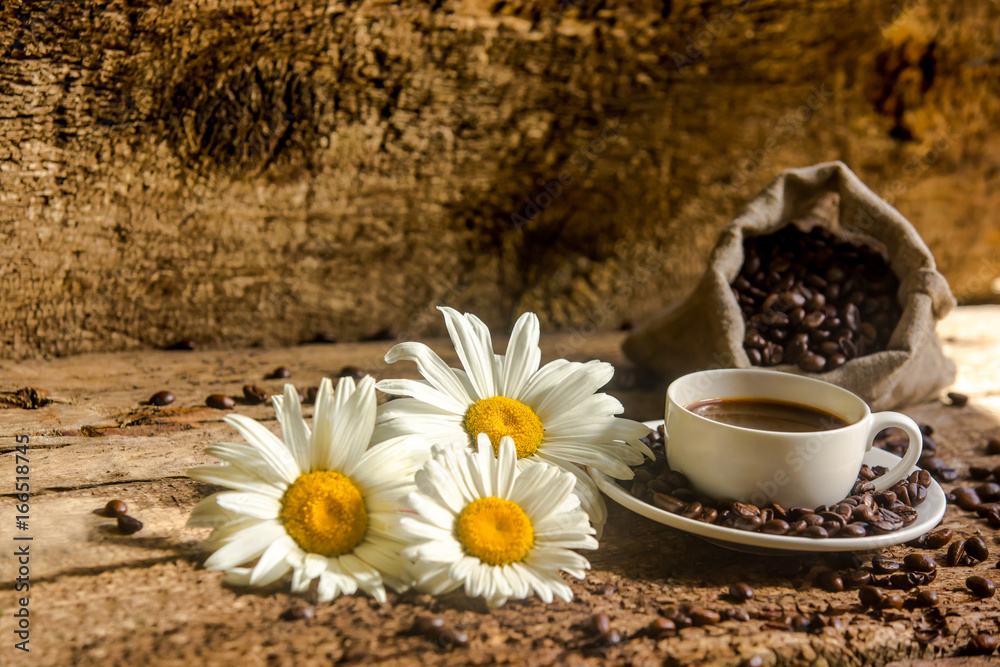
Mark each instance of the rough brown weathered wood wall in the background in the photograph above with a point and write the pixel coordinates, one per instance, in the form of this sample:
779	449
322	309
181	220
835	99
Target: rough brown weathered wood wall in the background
254	172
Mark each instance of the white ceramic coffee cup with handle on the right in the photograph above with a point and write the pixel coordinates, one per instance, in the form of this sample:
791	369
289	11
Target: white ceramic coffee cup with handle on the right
794	469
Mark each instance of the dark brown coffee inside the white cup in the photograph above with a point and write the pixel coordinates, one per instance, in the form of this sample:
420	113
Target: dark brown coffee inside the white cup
766	415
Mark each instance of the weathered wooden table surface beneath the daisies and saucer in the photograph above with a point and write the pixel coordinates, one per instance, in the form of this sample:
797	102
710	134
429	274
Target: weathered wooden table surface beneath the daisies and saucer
99	597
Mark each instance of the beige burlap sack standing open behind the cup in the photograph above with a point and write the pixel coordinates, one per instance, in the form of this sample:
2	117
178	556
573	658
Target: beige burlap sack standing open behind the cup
706	330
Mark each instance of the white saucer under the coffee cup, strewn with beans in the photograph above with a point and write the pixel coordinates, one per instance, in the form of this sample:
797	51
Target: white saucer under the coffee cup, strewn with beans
929	514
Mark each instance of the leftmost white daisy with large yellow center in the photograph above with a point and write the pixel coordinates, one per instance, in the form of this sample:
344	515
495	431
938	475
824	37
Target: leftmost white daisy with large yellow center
319	505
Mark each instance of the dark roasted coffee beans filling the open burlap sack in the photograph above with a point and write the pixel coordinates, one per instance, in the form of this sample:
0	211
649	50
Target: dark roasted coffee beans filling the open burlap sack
812	300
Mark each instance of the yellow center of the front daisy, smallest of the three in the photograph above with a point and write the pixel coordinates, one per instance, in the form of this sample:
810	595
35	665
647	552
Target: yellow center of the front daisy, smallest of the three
496	531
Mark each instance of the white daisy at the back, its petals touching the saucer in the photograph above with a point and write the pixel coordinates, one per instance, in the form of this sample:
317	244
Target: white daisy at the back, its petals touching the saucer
552	413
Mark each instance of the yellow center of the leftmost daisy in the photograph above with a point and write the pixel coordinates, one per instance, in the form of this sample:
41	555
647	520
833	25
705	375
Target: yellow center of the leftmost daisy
324	512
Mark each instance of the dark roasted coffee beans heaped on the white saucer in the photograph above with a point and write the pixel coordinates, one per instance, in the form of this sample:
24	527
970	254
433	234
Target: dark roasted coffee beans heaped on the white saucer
864	512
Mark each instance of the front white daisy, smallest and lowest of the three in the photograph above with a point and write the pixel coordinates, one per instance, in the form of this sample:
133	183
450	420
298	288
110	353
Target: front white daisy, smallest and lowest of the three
497	529
